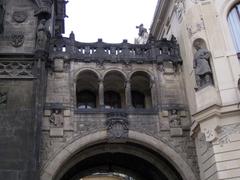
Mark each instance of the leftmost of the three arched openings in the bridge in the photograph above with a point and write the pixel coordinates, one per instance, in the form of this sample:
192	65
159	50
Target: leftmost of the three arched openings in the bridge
87	90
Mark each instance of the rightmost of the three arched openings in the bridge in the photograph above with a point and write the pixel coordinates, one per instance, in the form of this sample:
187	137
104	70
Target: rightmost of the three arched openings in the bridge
140	90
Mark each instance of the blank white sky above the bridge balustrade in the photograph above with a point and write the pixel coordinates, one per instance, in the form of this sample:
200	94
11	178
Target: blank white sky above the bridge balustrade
111	20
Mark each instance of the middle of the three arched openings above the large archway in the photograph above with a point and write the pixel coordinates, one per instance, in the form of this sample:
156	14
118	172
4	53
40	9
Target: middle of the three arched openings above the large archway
114	90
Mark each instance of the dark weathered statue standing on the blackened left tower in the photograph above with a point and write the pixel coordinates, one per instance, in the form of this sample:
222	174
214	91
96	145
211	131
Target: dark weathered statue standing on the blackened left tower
43	35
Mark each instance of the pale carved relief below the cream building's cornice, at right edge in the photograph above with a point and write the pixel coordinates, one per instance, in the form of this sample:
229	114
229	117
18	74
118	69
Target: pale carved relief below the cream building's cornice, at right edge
225	132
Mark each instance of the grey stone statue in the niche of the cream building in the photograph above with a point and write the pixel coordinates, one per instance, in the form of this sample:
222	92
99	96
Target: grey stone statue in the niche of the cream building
201	65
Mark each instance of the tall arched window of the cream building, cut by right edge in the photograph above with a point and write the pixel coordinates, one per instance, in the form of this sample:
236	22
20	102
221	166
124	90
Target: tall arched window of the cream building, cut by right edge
234	25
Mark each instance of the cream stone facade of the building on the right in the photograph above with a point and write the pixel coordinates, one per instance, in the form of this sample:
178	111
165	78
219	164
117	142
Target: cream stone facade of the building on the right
214	108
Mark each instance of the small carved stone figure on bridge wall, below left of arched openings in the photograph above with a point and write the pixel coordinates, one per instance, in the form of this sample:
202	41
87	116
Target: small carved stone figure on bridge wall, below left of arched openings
56	118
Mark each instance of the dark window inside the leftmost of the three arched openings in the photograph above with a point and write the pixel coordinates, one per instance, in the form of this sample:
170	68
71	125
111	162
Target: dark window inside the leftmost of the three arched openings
86	100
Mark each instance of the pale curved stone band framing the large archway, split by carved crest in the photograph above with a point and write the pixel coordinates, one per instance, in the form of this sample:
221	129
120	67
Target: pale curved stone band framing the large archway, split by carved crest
55	163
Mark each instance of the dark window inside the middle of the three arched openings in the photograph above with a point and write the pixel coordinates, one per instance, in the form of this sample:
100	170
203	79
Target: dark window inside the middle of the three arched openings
112	100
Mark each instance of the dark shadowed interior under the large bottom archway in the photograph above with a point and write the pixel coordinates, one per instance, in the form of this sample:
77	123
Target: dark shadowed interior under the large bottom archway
120	158
